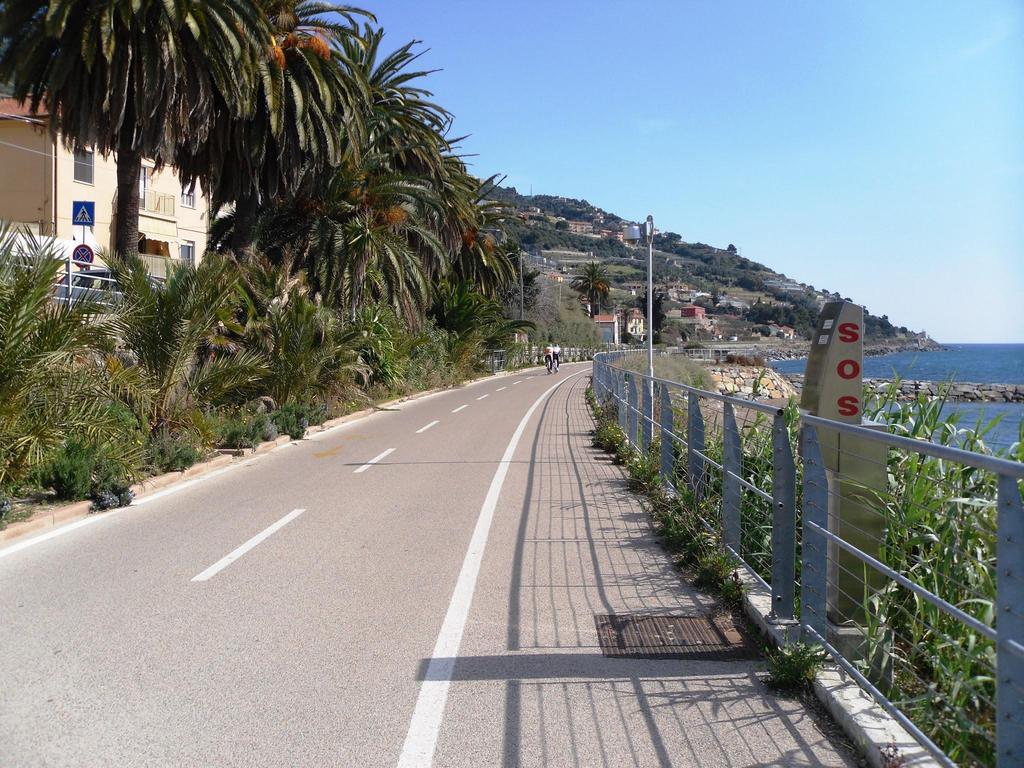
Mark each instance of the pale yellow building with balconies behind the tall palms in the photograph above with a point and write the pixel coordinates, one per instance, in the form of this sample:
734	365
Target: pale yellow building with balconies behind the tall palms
42	180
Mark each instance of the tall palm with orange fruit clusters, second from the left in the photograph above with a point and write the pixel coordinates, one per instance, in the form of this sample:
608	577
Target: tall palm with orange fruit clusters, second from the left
308	99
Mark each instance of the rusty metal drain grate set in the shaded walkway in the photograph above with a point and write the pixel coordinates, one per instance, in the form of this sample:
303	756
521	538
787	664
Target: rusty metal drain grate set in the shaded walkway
667	636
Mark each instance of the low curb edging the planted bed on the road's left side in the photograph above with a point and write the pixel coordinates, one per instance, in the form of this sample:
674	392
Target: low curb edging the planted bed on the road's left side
78	510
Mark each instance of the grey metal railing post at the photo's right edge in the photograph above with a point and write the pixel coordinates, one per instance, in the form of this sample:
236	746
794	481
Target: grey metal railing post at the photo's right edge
1010	624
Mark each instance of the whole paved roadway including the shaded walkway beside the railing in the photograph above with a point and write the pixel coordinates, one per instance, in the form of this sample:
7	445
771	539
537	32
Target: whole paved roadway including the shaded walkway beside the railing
415	588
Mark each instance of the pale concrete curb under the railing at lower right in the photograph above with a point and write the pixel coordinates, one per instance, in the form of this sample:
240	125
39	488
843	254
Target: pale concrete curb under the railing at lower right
861	717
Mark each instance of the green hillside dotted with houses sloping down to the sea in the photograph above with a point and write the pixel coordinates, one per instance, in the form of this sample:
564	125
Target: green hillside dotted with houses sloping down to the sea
743	296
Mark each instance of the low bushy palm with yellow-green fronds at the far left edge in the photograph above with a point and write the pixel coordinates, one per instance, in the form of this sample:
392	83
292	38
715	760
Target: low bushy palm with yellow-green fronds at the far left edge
51	387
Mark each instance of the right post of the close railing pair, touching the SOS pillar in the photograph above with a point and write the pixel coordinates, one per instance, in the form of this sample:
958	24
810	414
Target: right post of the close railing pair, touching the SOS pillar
815	561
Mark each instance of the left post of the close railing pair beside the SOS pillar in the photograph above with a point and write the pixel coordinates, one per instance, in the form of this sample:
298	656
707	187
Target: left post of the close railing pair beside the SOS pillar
784	526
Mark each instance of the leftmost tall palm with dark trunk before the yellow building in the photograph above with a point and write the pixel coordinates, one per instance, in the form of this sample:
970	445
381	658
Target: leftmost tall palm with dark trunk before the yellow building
133	77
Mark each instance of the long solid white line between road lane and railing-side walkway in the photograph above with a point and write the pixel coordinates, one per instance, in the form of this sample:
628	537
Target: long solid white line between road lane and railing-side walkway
418	752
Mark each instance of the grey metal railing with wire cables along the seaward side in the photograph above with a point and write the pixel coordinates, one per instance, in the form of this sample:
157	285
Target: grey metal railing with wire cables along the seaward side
935	633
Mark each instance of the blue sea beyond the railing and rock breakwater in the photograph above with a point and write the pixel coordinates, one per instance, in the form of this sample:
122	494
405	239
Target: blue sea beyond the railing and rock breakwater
984	364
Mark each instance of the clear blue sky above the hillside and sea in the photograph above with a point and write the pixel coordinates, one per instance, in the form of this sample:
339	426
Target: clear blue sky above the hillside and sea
875	149
